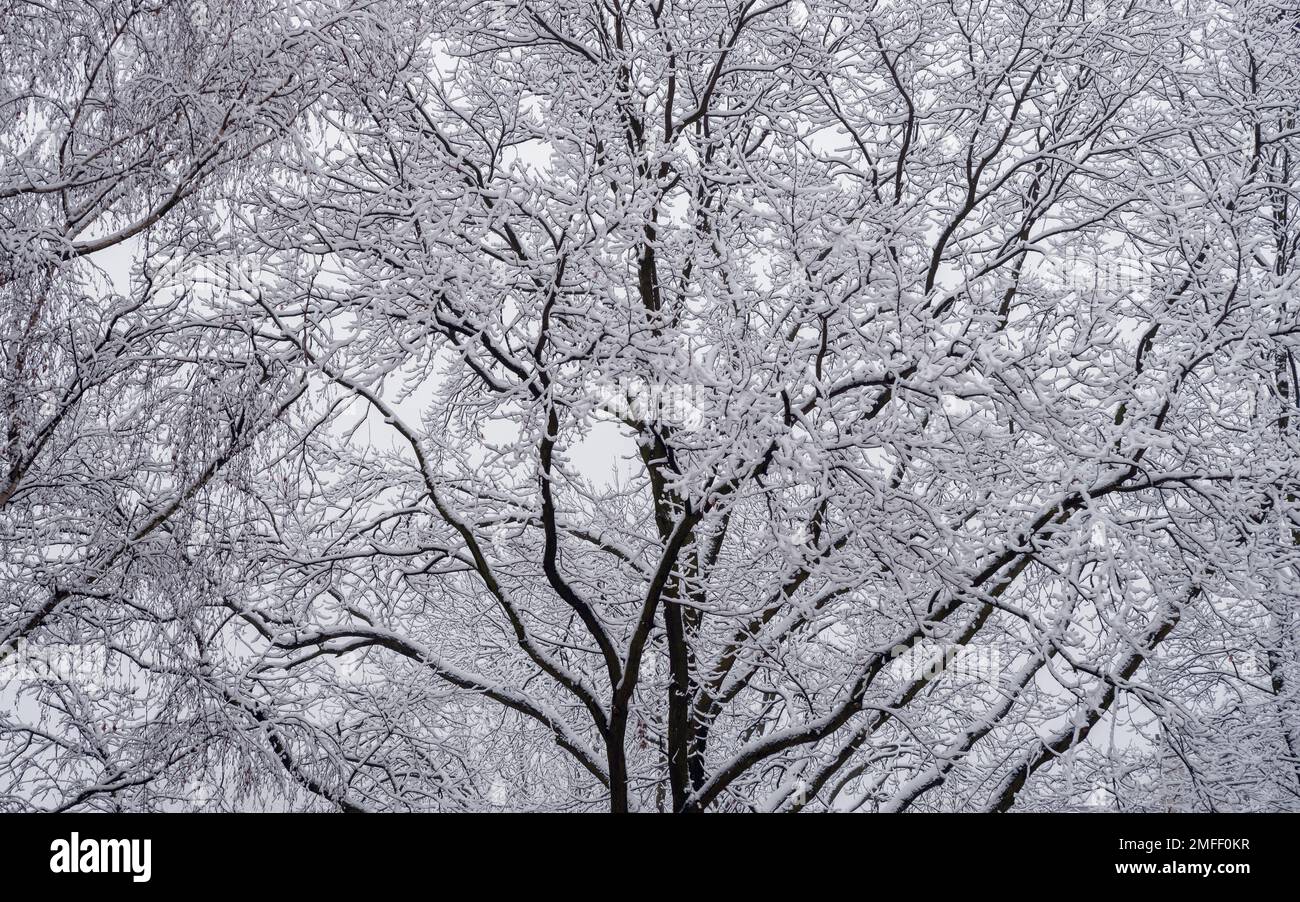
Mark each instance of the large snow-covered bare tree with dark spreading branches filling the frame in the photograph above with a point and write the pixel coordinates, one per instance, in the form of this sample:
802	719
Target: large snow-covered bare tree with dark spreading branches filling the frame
671	406
